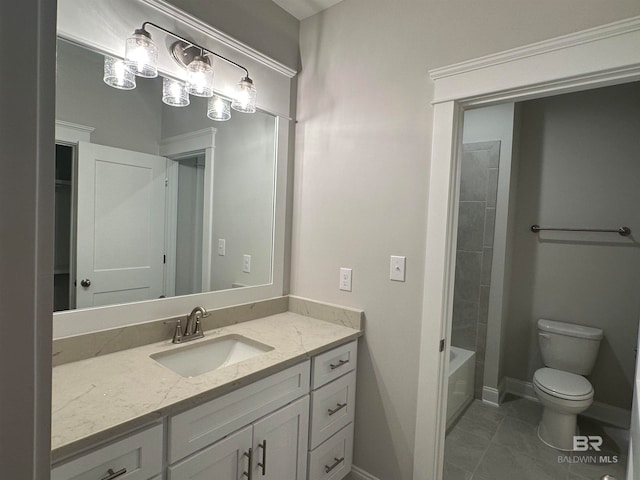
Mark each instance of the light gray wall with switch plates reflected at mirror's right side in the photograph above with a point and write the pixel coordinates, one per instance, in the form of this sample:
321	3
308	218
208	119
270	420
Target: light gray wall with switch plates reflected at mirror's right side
244	177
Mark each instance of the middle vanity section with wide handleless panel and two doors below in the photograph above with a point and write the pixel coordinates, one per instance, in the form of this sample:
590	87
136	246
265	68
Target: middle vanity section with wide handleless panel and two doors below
258	431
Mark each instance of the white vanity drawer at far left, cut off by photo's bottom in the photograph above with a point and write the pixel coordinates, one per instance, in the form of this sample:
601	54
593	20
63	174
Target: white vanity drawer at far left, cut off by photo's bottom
140	455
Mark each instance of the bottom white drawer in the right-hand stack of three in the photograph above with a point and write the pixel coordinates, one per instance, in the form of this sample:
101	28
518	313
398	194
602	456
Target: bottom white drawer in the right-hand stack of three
332	459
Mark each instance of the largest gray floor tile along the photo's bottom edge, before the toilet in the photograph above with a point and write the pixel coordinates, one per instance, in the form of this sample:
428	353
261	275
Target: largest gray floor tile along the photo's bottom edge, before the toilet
504	463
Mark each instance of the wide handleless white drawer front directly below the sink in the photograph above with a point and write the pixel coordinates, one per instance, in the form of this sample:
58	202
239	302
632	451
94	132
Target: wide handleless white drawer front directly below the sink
203	425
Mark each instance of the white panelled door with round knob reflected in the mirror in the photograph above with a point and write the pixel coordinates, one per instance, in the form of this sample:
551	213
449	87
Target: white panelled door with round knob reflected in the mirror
121	216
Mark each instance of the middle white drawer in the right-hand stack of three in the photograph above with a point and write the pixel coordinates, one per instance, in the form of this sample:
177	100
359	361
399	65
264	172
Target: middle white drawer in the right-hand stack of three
332	407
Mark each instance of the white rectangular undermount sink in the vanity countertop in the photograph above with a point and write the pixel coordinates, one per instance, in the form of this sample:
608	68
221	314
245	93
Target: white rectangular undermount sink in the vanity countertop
208	355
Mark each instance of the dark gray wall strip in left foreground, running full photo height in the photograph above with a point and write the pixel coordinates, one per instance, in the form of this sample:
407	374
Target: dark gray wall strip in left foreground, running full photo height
26	242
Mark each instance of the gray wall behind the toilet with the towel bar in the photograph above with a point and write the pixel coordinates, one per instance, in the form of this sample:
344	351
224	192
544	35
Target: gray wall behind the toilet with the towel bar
579	166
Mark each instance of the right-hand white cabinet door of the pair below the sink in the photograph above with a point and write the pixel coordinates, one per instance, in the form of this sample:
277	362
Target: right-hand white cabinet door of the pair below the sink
280	443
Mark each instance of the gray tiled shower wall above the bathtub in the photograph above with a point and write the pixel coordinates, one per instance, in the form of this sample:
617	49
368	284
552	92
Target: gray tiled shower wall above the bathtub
474	254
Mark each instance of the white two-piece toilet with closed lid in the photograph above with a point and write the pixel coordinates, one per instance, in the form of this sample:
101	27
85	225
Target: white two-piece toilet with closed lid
569	351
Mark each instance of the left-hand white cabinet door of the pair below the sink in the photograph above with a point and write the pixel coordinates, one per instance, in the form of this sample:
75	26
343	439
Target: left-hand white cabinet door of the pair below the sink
227	459
